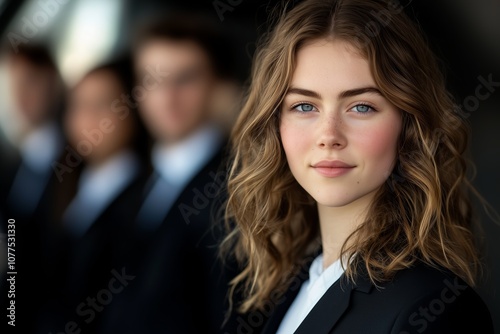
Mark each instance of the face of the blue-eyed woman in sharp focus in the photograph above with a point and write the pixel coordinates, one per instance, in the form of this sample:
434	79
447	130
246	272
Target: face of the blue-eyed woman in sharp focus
338	132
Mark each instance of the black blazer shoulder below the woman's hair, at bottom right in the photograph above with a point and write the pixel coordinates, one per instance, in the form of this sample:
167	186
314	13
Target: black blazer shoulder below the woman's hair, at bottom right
434	300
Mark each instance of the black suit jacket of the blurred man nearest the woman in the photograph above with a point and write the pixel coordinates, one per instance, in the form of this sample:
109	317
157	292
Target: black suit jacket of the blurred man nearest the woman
179	286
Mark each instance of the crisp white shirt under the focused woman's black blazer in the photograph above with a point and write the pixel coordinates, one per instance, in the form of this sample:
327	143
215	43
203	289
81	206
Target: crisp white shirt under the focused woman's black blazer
310	293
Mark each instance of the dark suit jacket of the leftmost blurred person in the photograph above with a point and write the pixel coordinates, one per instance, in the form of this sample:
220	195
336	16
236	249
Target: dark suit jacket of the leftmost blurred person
31	231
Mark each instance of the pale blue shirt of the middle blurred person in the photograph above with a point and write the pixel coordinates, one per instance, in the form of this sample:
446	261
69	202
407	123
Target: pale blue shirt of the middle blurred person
97	188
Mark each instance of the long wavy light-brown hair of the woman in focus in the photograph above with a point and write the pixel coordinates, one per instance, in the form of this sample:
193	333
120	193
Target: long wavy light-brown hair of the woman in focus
421	213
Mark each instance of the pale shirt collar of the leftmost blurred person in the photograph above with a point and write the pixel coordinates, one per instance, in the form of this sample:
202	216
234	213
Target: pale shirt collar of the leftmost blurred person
41	147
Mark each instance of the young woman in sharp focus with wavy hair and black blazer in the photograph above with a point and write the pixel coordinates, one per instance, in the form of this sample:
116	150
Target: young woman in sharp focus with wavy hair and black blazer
349	152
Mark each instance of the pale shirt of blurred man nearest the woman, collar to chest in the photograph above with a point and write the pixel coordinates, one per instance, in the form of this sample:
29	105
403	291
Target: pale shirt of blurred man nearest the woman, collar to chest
175	166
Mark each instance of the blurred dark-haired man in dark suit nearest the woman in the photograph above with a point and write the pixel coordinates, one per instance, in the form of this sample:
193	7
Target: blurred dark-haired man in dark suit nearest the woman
172	250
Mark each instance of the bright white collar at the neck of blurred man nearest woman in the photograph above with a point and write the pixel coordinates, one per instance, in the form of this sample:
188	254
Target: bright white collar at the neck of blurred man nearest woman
178	163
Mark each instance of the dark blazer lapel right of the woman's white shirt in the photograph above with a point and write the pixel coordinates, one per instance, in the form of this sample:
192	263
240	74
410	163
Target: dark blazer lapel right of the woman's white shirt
330	308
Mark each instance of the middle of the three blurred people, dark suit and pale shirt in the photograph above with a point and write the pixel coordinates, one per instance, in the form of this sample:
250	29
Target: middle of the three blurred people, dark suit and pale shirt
108	139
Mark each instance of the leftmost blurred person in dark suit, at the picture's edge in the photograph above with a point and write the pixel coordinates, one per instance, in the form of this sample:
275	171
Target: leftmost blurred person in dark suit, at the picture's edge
26	175
